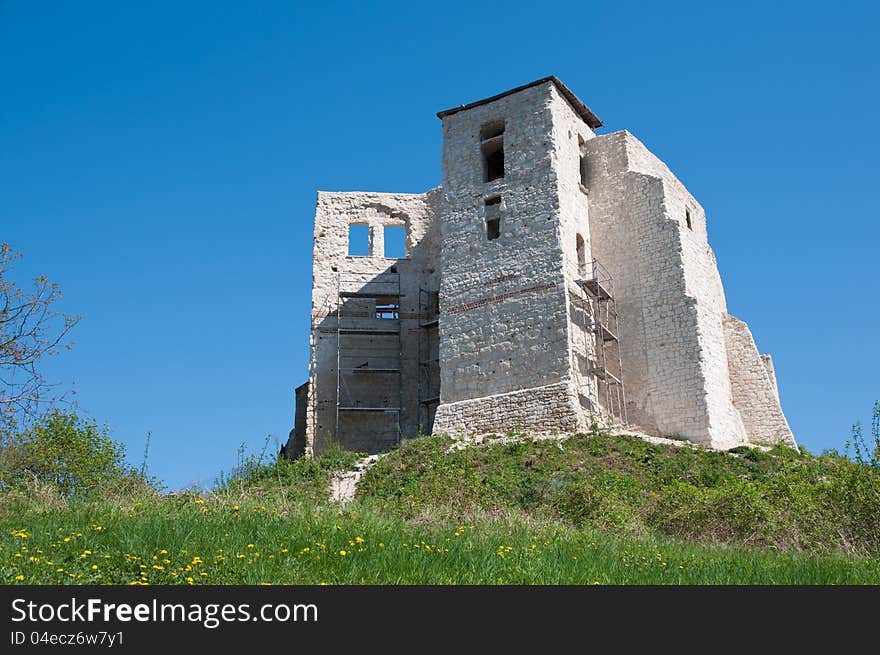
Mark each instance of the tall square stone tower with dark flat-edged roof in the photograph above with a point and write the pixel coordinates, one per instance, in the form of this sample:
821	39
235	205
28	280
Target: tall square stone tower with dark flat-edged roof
512	208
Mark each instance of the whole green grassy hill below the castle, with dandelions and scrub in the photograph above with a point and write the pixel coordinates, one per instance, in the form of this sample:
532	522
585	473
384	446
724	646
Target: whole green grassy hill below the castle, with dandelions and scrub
587	509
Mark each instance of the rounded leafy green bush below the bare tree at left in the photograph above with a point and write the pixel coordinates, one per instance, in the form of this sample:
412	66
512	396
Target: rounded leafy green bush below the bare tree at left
68	452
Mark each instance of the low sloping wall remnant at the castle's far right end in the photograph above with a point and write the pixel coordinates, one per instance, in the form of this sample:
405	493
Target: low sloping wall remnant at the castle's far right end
753	386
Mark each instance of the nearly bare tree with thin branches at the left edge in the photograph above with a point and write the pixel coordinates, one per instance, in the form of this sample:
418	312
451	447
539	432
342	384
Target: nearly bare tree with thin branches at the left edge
31	328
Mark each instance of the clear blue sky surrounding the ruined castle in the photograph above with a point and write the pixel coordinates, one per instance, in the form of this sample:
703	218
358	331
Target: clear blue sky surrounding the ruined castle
160	161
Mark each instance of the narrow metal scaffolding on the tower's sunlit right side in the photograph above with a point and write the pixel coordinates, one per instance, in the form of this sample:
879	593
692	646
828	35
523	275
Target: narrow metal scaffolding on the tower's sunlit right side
601	319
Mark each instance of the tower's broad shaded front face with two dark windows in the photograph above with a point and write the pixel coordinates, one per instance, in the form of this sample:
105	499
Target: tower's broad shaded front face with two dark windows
503	326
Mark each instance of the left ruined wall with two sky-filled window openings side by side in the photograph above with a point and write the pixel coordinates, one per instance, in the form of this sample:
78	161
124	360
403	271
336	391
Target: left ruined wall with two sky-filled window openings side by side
379	361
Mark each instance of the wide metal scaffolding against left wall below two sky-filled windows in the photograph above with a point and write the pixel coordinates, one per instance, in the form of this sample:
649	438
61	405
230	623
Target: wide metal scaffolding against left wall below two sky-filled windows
376	317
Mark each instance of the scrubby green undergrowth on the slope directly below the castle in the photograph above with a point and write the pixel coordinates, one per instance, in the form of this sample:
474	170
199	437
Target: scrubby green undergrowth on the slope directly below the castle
779	499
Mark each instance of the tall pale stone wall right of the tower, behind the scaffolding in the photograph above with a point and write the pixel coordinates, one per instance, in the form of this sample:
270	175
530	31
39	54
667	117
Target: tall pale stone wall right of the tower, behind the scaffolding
668	291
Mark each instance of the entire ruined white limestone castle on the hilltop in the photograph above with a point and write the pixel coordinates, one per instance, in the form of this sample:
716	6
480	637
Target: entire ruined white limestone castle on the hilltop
557	278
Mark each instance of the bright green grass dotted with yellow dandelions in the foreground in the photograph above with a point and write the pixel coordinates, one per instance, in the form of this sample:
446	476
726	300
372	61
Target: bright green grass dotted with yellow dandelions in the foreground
192	540
